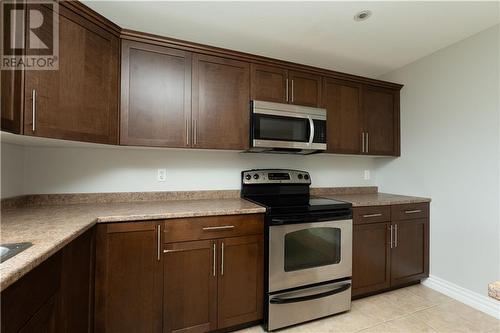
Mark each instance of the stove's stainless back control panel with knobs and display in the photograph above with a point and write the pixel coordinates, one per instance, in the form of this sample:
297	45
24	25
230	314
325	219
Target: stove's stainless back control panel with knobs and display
275	176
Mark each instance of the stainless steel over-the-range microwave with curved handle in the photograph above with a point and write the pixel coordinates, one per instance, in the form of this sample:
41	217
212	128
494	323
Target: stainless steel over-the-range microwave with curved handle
287	128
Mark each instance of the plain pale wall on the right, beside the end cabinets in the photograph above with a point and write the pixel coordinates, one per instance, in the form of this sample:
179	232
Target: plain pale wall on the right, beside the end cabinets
450	152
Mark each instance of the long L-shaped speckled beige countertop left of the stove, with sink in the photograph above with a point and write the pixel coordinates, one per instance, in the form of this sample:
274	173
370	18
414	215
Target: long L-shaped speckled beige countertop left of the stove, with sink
50	228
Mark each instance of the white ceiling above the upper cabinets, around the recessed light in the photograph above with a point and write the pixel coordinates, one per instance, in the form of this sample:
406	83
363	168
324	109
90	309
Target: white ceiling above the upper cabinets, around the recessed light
321	34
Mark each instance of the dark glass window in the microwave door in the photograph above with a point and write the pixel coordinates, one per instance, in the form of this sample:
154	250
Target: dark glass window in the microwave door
278	128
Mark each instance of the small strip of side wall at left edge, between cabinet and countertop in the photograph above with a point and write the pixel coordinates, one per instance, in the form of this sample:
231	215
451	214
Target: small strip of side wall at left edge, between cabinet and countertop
12	170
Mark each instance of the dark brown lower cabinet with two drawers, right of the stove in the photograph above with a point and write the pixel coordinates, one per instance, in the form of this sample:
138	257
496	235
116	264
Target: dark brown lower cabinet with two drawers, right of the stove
391	253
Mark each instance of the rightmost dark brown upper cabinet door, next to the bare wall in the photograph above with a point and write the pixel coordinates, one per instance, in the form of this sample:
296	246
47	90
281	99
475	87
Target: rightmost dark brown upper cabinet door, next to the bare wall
381	121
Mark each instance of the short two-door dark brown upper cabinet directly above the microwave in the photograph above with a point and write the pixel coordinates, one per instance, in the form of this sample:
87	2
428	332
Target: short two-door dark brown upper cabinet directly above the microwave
276	84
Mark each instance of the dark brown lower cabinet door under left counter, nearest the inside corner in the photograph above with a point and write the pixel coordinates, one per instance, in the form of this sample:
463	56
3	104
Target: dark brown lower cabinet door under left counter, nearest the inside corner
77	285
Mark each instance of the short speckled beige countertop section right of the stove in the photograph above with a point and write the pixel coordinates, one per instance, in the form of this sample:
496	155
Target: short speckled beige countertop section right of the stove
376	199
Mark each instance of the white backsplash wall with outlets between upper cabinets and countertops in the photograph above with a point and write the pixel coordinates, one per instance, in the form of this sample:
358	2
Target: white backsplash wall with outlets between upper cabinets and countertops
76	170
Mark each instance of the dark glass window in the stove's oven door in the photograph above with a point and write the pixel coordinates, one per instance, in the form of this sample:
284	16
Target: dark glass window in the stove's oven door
312	247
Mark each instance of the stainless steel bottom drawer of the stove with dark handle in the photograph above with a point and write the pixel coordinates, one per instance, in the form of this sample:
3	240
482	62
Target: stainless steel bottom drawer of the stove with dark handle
302	305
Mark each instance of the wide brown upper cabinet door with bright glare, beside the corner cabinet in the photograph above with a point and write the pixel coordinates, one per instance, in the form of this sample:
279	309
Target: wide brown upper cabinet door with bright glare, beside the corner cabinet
155	96
